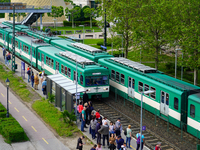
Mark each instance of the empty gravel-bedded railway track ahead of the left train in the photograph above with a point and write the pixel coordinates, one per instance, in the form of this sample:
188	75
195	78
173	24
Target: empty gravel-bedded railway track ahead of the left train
171	138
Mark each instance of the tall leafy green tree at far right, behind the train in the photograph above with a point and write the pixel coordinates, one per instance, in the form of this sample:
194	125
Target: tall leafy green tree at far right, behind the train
186	14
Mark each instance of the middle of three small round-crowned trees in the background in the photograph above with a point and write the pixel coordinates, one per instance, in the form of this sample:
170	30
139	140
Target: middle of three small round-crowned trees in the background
74	13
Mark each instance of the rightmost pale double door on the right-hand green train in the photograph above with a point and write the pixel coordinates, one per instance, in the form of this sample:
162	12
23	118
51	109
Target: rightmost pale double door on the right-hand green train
164	103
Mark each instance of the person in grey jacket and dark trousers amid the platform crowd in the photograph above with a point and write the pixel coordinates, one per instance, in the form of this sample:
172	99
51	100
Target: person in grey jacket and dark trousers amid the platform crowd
105	131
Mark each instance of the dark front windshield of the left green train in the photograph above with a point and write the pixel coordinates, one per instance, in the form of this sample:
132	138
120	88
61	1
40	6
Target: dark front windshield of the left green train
96	80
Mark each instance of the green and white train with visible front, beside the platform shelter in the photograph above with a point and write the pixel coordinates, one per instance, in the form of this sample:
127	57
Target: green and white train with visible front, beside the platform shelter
91	76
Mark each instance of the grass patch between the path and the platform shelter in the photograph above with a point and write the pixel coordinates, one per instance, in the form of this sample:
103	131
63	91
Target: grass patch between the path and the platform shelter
53	117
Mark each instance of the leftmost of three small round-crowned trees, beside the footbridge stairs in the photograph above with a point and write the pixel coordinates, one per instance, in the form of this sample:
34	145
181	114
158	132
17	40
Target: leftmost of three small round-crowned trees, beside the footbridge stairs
56	12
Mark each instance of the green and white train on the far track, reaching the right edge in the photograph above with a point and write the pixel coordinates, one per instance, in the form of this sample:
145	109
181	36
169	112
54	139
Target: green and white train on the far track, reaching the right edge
173	100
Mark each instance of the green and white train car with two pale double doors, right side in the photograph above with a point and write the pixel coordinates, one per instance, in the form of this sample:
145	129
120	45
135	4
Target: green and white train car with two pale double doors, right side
171	95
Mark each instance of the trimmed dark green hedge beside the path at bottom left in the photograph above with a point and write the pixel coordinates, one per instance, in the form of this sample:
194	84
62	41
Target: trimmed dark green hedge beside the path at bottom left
10	129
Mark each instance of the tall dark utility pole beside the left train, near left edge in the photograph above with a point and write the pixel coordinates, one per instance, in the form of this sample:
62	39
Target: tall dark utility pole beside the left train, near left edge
13	46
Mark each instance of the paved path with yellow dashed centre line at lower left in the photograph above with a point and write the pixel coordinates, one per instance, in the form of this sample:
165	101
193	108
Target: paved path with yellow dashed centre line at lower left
41	138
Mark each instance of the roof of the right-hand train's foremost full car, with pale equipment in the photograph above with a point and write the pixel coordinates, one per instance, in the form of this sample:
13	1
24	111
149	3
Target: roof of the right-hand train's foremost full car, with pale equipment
151	73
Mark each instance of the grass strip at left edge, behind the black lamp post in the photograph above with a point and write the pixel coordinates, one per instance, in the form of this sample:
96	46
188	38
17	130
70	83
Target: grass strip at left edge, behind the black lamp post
16	84
